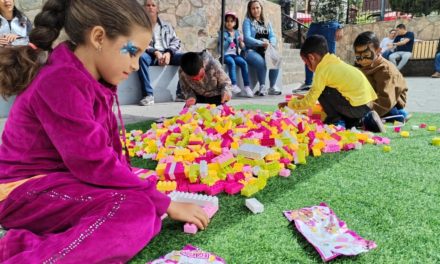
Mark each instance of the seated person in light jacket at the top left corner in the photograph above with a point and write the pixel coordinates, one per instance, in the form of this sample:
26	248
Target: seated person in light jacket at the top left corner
14	26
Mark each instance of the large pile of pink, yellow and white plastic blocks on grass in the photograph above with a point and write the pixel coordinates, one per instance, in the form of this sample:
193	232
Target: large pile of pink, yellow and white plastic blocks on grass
219	149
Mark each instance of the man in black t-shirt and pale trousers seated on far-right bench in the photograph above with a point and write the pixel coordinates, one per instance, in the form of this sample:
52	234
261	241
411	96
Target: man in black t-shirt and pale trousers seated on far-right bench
403	46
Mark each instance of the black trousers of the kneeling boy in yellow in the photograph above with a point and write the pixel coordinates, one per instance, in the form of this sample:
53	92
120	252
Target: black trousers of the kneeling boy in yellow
338	108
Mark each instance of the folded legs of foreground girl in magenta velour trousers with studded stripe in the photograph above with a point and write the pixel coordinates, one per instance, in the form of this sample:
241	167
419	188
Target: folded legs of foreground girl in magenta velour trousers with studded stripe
61	219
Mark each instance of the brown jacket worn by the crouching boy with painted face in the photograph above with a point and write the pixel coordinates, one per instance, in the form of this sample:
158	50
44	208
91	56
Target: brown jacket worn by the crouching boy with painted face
389	84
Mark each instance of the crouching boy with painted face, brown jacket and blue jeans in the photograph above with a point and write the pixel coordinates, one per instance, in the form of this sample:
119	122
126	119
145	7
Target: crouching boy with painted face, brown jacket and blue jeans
387	81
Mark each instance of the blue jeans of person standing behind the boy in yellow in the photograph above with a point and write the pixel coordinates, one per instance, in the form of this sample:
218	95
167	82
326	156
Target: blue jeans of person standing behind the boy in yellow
328	31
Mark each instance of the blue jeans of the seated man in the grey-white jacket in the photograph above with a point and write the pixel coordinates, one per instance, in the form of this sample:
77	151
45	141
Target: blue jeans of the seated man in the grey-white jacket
145	62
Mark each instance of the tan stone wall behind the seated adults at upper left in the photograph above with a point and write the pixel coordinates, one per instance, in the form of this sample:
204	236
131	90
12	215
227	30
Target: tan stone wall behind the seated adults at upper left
196	22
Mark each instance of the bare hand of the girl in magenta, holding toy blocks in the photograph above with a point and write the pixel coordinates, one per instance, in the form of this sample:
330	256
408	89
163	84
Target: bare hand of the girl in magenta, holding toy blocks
188	212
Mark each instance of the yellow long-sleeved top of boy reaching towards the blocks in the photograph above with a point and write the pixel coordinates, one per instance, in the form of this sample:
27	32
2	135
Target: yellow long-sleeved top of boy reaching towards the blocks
335	73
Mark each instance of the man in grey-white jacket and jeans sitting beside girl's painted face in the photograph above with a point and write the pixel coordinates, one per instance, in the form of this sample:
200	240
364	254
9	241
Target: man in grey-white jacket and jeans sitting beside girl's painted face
163	50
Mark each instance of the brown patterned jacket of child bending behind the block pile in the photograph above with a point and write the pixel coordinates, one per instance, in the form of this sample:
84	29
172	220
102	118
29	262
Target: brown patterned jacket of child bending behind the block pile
215	82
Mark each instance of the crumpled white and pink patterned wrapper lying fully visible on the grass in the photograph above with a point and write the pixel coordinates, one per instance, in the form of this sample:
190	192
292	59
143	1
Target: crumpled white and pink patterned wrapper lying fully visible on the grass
329	235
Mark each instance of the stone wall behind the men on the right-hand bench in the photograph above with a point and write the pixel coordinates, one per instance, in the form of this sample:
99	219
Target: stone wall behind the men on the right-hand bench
424	28
